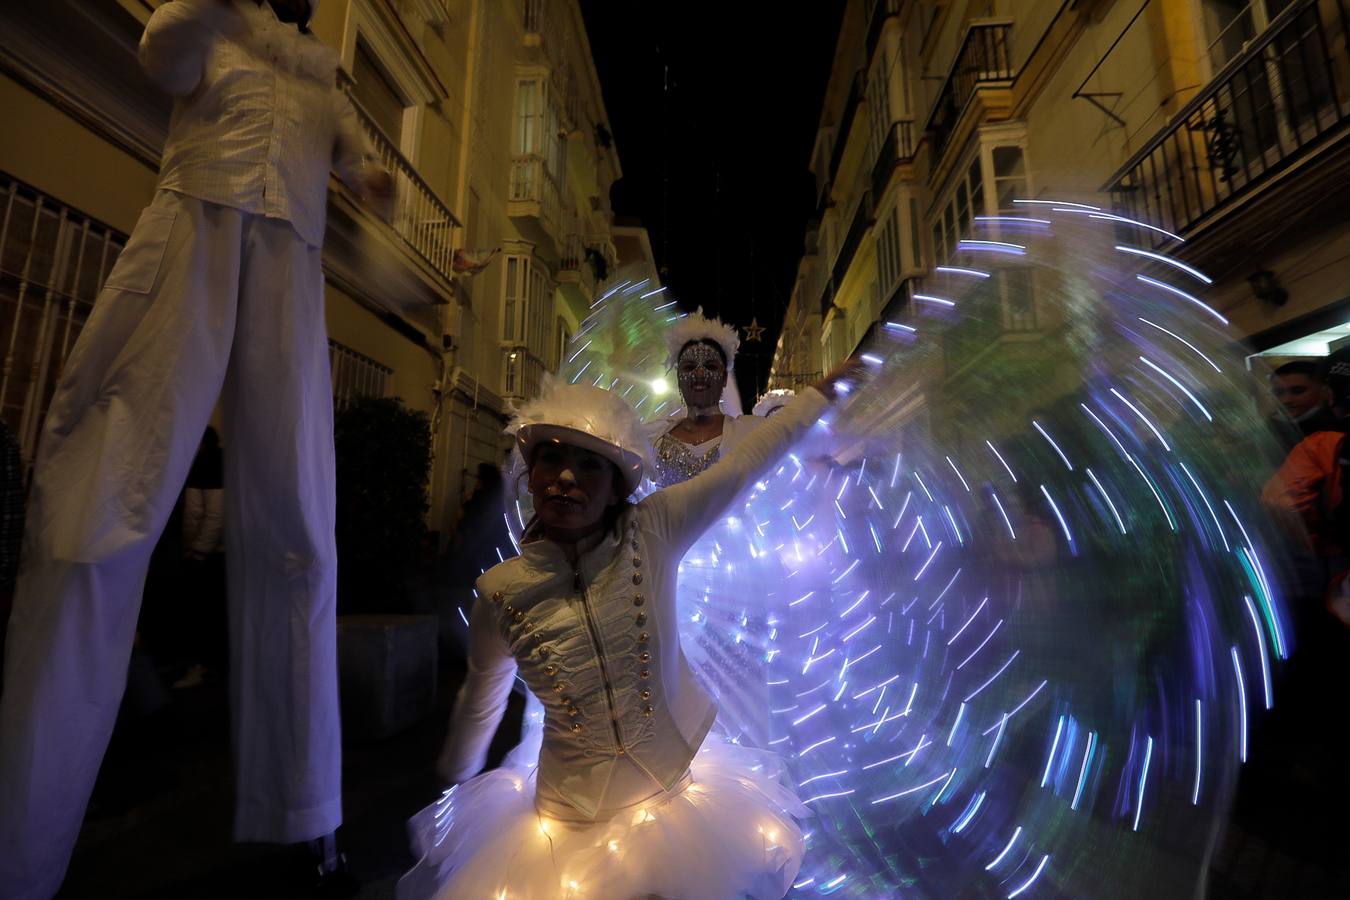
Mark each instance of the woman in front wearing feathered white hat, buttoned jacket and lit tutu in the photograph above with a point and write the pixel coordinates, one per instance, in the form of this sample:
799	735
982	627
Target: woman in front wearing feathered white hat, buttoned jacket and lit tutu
628	798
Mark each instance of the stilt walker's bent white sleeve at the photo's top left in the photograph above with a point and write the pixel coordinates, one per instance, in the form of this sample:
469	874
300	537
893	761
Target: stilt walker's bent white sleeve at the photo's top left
178	40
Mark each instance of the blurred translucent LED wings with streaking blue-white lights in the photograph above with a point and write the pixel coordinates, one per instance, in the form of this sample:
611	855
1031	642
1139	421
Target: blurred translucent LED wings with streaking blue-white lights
1013	605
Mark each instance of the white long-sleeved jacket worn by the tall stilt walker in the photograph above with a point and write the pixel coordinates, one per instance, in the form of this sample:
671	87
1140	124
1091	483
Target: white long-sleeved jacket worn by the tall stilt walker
259	121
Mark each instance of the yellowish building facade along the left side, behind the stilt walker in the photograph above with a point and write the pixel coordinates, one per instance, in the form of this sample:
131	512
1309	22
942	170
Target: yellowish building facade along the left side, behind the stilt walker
488	114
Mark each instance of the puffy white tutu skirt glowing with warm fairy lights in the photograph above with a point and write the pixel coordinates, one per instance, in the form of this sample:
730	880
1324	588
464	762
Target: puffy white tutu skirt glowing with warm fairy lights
730	832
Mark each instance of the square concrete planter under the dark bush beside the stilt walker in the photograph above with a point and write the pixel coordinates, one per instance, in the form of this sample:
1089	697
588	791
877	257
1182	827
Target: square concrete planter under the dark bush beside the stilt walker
387	673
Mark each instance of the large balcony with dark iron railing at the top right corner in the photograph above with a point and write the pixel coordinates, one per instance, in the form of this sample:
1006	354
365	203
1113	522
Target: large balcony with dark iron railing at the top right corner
1272	109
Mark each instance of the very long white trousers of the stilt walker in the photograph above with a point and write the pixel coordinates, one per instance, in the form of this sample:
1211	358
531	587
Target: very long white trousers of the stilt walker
205	300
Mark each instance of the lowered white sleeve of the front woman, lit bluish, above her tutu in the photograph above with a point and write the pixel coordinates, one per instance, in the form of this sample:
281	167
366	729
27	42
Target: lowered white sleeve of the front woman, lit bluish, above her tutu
483	700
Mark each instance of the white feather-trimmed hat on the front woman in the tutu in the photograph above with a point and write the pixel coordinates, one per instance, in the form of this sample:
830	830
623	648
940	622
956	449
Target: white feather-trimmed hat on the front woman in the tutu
583	416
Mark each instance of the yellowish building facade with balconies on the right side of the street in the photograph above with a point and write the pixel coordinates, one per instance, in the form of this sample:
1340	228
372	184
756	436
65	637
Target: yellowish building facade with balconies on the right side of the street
1220	122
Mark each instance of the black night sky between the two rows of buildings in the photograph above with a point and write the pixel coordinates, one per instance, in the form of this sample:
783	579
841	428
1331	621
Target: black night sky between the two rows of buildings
734	134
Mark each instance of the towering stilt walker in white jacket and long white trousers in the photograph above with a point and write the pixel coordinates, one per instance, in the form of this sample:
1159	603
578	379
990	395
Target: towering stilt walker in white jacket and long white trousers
219	292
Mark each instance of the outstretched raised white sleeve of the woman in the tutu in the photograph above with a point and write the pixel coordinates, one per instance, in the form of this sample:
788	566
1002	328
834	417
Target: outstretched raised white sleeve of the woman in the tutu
684	512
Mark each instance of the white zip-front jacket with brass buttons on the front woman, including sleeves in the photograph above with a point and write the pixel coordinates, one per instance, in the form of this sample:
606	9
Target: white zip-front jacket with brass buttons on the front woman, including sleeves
599	643
